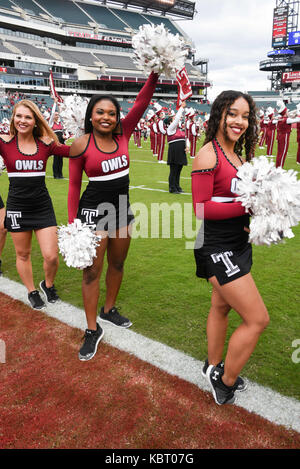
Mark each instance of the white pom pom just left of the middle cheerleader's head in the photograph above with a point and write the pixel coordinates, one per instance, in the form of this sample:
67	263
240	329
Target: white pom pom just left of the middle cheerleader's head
72	113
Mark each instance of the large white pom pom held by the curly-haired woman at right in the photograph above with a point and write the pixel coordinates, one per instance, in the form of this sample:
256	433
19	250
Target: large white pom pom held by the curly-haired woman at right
272	195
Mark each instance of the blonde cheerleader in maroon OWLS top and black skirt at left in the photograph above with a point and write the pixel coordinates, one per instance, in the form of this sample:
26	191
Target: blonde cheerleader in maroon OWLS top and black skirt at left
29	208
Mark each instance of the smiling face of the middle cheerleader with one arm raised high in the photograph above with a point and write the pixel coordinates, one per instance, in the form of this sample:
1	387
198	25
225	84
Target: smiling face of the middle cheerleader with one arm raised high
104	117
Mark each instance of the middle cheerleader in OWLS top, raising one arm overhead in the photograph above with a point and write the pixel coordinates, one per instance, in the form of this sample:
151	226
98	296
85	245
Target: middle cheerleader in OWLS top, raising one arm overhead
102	153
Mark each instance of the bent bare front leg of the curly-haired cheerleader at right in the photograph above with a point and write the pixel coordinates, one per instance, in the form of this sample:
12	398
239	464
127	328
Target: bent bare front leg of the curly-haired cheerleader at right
243	296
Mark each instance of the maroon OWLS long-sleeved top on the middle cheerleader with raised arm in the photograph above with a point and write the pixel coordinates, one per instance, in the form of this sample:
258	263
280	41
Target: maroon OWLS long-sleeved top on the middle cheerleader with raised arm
109	170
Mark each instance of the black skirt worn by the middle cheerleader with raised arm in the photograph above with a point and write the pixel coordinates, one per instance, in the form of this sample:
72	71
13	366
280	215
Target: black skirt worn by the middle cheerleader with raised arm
103	209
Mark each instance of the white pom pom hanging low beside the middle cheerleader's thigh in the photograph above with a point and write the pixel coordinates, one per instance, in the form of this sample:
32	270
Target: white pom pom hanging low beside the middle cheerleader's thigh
77	244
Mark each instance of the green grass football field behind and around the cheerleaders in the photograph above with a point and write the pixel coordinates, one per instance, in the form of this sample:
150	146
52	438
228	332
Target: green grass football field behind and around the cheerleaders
160	292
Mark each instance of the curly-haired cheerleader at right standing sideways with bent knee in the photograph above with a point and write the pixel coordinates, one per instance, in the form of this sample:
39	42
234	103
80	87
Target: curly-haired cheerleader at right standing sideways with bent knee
223	253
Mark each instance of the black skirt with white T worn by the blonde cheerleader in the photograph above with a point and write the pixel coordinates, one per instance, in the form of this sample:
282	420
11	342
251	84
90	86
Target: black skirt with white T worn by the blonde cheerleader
29	207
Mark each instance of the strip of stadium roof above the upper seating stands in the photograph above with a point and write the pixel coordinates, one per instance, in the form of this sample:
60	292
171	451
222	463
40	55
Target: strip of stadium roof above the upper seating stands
183	8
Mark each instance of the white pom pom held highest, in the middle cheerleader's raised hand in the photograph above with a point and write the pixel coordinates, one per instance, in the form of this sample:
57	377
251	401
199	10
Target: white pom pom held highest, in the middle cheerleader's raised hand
157	50
